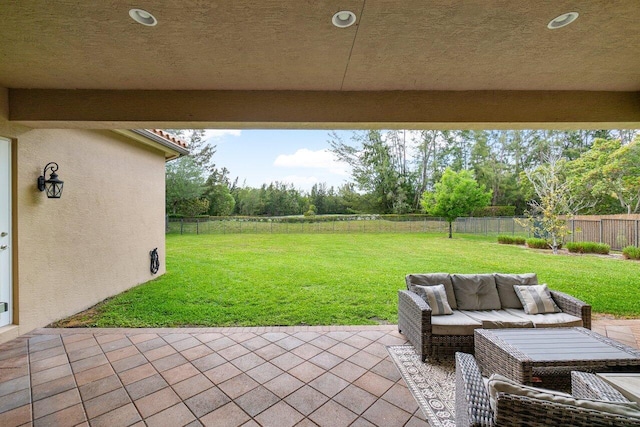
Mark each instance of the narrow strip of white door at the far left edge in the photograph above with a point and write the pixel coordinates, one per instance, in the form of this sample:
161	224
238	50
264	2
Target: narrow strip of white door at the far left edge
6	282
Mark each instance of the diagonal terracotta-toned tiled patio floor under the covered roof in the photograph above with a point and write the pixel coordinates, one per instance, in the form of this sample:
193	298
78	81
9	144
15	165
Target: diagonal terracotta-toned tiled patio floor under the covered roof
305	376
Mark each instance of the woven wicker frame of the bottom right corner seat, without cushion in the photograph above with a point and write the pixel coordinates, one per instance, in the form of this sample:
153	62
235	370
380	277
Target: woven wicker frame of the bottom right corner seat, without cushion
473	409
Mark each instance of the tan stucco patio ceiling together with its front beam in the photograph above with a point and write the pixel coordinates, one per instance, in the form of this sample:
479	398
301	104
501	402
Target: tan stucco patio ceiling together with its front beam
268	63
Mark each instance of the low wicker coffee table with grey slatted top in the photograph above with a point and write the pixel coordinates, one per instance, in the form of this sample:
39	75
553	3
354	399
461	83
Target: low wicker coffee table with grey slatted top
545	357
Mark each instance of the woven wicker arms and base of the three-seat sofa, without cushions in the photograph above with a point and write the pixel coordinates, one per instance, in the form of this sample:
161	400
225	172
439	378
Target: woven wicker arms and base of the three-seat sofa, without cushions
414	322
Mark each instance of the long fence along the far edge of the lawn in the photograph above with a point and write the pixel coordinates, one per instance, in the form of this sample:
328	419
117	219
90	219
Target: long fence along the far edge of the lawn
617	233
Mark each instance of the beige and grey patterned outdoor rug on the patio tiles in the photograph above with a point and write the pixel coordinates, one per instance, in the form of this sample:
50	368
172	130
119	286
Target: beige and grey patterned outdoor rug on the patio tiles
431	383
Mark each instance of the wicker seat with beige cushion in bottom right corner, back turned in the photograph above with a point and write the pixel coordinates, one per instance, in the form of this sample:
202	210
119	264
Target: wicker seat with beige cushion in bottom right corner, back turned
528	406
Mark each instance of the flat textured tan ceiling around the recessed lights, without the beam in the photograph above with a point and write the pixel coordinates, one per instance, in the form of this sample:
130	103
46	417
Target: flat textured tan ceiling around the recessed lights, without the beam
291	45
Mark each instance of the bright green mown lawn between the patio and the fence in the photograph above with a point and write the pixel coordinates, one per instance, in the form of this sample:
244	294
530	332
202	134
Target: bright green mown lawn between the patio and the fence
328	279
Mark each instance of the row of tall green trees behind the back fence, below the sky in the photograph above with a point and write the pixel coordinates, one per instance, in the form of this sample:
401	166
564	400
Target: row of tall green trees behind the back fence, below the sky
393	170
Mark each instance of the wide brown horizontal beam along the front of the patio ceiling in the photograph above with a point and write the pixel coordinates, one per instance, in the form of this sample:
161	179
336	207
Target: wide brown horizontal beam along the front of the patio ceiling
46	108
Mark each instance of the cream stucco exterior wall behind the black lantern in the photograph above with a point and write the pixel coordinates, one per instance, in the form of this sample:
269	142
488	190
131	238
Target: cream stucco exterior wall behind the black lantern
94	242
